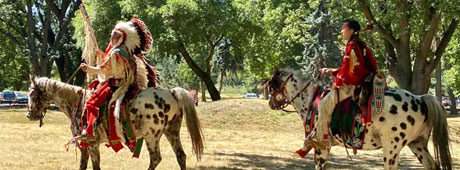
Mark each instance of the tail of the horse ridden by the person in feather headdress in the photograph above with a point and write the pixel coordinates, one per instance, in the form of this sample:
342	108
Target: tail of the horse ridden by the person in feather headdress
187	105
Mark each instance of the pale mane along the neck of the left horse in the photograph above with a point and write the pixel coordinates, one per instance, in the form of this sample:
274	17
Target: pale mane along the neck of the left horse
57	87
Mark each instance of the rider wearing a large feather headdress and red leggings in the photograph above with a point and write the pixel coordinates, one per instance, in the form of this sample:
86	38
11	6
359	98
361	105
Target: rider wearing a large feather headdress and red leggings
121	75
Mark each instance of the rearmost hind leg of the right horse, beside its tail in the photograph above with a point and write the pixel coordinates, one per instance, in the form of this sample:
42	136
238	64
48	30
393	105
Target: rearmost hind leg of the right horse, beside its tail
420	150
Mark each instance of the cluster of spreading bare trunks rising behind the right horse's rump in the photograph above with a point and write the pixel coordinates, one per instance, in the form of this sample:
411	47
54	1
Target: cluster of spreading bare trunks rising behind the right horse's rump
412	72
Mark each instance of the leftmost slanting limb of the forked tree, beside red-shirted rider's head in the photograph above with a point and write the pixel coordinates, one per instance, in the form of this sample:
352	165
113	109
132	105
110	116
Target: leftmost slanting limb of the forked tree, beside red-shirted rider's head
370	17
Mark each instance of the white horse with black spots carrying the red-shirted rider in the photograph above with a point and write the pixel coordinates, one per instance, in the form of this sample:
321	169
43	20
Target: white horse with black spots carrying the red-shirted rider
407	120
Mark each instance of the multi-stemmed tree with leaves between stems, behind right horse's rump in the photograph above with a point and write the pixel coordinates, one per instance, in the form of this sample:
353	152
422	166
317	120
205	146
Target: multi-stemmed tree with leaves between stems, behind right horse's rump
416	40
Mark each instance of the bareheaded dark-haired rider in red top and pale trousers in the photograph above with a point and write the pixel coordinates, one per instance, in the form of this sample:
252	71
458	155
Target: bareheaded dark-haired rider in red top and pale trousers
357	65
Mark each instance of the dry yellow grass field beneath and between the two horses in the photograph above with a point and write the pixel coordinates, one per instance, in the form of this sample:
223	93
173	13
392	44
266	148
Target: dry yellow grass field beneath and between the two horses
239	134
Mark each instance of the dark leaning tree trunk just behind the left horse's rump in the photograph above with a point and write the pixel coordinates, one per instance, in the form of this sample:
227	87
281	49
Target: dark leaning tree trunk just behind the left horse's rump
203	75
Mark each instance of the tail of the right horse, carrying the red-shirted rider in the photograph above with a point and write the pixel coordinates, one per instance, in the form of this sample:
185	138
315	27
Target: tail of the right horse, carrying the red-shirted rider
438	120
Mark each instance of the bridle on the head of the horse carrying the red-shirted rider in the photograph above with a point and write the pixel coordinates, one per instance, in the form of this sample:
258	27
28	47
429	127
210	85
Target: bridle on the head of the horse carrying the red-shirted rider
284	103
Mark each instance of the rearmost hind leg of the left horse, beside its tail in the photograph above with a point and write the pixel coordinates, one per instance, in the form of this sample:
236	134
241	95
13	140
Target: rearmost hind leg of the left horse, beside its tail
172	133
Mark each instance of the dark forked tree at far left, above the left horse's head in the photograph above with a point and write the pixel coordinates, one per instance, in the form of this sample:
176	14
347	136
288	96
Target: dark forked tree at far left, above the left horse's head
45	31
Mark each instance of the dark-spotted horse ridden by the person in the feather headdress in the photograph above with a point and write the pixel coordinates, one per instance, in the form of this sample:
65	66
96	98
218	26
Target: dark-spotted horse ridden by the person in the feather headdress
154	112
